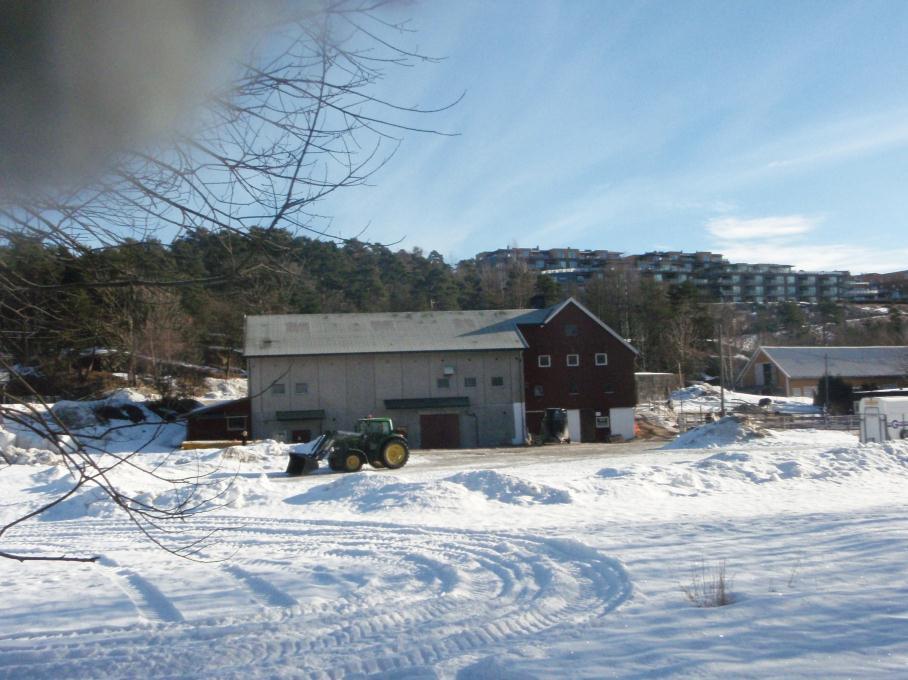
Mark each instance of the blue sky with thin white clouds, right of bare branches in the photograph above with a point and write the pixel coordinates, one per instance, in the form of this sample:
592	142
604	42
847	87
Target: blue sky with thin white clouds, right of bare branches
768	131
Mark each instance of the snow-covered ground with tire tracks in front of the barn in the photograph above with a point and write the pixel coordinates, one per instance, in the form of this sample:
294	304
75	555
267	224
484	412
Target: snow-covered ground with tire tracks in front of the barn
562	561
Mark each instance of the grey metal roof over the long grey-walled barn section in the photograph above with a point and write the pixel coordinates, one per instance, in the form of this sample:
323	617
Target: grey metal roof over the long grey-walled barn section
308	334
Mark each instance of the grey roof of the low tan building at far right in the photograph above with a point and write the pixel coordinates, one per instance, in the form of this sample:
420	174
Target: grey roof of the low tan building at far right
848	362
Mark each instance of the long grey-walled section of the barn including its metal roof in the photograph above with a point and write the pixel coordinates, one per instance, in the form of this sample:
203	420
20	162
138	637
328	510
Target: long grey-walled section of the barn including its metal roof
450	378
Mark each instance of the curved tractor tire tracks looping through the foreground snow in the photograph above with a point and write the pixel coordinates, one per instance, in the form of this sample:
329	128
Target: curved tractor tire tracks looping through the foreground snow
440	595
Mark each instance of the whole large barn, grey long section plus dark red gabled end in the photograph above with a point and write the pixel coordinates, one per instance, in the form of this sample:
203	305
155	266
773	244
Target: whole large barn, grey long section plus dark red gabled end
451	379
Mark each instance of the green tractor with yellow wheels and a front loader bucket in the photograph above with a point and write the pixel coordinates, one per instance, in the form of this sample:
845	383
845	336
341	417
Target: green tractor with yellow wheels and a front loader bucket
373	441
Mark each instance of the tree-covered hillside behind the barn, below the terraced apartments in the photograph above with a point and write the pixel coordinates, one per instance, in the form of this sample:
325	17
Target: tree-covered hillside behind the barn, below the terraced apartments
64	307
